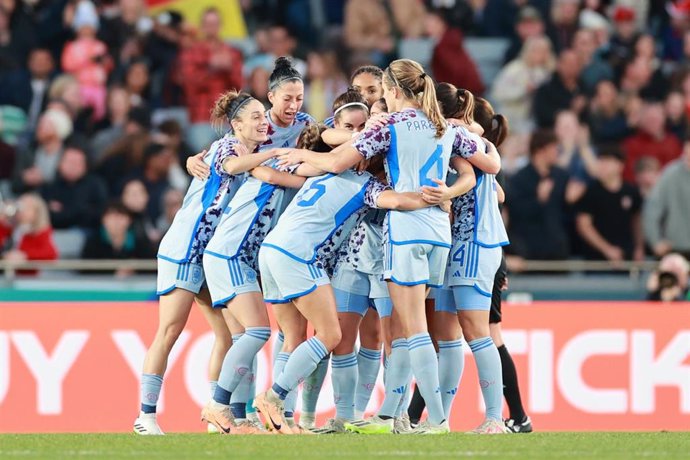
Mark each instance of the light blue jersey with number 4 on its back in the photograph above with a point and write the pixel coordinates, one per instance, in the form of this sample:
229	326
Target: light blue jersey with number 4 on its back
414	157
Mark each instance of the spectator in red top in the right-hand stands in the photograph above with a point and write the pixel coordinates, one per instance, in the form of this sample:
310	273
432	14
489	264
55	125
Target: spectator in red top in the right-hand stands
651	140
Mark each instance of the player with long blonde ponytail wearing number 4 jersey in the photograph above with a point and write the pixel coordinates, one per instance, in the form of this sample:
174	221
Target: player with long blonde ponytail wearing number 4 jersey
417	143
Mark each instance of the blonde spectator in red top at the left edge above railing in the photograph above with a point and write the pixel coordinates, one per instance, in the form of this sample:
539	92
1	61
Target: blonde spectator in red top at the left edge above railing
32	233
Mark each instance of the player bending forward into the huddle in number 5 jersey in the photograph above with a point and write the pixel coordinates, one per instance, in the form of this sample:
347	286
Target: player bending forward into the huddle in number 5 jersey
317	221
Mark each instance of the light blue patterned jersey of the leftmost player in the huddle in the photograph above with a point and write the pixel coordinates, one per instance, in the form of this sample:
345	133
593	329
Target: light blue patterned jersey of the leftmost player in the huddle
202	207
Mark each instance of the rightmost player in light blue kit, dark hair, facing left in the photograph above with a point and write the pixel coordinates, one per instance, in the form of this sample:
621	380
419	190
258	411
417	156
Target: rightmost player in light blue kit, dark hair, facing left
478	237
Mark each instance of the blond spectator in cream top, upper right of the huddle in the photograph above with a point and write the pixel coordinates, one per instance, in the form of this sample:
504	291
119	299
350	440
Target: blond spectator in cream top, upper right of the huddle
514	87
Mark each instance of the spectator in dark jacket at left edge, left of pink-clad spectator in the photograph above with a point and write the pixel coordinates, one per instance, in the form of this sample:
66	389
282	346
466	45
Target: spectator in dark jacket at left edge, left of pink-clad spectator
27	88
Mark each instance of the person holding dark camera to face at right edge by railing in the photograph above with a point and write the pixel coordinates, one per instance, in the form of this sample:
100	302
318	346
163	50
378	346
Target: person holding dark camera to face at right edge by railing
669	282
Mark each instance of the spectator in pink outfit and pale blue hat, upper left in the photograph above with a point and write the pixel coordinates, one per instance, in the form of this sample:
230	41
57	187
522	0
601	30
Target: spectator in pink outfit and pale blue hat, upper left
87	58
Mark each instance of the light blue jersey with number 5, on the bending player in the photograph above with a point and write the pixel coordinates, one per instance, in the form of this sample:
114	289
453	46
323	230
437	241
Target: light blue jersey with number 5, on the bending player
322	215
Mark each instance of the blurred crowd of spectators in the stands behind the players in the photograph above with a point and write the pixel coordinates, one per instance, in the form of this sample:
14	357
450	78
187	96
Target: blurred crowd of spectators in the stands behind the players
101	102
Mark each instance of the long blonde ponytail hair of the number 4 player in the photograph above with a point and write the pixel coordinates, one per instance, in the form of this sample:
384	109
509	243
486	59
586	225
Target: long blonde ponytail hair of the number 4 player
417	86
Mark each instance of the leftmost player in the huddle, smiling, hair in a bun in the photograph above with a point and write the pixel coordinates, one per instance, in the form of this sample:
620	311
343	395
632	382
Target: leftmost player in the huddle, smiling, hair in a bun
180	272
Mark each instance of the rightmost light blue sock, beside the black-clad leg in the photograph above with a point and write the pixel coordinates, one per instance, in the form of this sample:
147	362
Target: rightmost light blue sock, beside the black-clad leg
488	362
